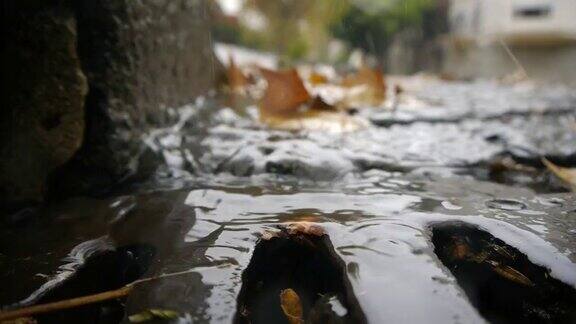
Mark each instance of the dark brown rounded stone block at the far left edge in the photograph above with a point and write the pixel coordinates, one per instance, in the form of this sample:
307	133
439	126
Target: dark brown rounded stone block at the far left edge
42	114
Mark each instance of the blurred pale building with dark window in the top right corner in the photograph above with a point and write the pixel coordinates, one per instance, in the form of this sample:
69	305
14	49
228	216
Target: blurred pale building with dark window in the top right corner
492	38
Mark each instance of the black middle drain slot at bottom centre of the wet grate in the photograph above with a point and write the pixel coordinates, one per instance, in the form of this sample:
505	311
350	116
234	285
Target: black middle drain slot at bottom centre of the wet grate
308	265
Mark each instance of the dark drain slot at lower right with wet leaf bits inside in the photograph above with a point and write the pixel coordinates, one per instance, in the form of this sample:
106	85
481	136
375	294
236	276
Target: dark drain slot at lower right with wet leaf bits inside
499	280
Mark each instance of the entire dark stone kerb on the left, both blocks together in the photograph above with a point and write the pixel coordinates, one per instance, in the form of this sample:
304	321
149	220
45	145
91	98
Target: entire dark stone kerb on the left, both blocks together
85	81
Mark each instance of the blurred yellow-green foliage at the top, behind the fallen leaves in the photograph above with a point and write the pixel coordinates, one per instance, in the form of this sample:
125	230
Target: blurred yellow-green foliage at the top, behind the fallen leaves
297	29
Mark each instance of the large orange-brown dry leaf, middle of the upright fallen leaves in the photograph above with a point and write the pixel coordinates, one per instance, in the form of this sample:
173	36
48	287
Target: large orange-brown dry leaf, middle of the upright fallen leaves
284	94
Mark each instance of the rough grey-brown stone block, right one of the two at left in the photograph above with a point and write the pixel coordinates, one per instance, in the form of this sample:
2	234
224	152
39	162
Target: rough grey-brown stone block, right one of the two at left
141	59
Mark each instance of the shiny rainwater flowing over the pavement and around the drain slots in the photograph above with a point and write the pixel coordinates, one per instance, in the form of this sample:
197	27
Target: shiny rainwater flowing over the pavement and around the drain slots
379	192
